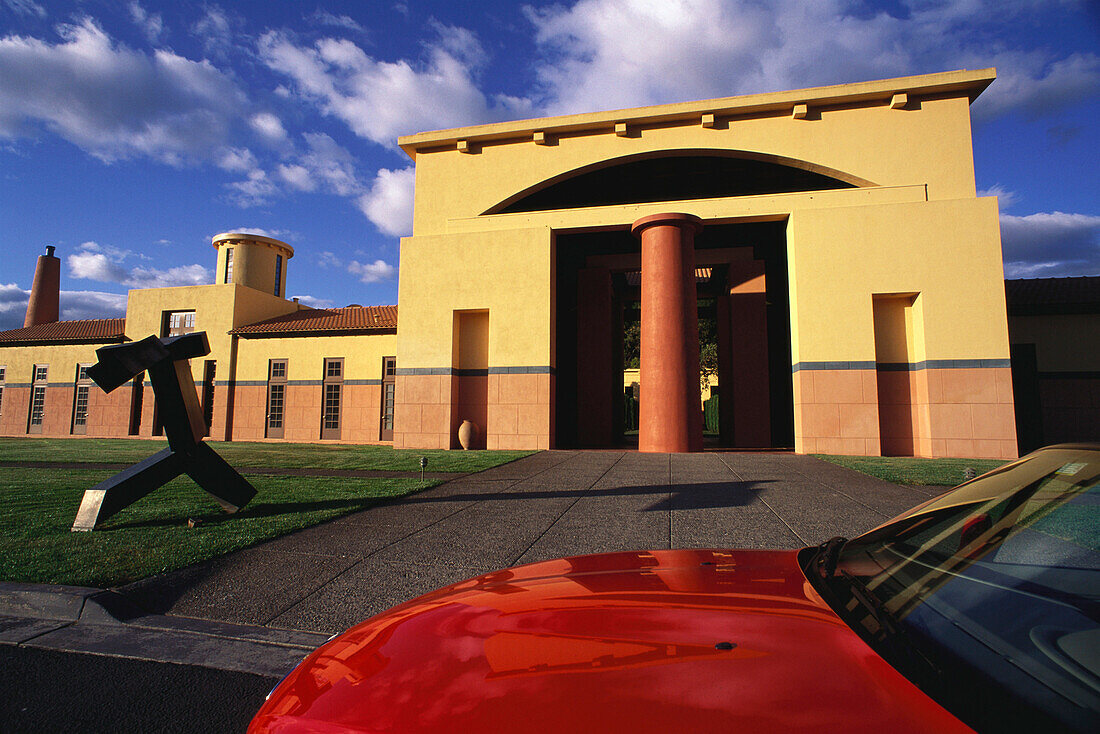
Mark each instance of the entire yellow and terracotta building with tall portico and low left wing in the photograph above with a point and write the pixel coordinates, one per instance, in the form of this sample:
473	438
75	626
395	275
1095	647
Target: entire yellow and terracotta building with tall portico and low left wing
834	236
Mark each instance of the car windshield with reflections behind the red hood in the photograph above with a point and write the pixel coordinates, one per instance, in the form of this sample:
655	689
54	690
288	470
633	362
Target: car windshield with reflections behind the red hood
988	596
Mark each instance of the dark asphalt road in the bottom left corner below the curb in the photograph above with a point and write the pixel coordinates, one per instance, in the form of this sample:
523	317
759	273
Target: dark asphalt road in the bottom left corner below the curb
51	692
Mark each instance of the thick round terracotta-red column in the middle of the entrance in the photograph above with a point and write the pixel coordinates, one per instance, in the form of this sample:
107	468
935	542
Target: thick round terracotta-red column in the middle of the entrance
670	419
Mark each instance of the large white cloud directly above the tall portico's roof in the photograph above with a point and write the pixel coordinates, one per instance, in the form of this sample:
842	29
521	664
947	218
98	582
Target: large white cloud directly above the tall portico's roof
701	49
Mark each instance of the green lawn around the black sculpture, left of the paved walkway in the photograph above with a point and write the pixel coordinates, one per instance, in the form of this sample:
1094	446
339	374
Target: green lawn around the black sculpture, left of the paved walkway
152	536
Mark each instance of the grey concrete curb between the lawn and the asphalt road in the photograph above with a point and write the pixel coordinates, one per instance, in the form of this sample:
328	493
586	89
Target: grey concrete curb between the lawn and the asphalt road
104	622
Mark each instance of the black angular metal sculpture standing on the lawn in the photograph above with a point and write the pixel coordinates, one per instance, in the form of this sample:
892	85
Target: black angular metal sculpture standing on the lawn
179	407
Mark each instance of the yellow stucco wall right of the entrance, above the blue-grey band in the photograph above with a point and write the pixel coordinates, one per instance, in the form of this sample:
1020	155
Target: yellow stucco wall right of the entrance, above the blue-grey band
949	253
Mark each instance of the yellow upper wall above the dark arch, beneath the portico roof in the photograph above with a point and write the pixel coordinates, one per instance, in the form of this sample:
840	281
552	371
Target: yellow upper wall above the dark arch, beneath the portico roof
927	145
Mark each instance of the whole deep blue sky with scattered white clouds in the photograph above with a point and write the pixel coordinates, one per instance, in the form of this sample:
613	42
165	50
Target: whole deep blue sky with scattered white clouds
131	133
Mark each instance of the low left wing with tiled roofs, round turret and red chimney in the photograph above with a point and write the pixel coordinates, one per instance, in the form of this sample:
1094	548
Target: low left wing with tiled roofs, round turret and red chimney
276	369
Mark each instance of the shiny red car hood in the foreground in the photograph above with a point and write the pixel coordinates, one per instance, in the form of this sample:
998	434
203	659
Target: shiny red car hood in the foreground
630	642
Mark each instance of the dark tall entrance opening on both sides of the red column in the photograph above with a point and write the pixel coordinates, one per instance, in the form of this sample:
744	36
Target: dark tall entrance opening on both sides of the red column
742	286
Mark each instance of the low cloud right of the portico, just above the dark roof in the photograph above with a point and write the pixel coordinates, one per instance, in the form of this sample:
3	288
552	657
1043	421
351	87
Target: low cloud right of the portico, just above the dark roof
1050	245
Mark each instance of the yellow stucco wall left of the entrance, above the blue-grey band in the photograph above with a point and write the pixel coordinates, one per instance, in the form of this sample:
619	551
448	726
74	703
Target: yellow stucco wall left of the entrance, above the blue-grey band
509	273
